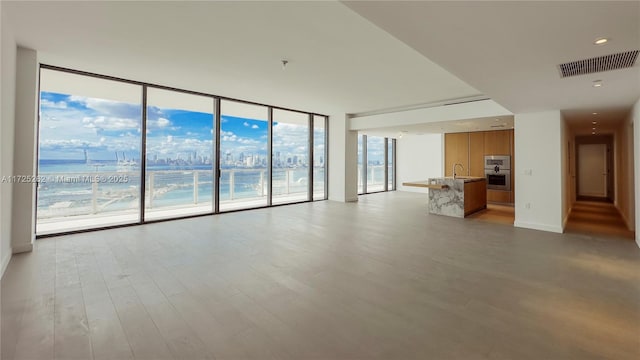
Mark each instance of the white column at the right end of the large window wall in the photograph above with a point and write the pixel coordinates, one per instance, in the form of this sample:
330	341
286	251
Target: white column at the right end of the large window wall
343	157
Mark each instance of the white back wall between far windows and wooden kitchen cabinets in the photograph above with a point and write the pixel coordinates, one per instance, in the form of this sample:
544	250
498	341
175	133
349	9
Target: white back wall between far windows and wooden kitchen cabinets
418	157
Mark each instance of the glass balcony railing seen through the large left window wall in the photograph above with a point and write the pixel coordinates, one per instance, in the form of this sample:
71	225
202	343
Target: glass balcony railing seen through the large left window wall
65	195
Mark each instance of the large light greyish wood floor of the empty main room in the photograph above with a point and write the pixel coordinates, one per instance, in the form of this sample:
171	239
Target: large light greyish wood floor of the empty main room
377	279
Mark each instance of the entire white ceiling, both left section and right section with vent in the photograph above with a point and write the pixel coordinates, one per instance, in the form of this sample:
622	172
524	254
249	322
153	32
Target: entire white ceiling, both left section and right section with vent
341	61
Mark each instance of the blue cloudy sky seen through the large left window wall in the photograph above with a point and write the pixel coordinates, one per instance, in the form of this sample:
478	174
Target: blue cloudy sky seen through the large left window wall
70	124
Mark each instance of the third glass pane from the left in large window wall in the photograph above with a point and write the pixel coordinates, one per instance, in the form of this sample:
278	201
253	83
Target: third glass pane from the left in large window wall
243	155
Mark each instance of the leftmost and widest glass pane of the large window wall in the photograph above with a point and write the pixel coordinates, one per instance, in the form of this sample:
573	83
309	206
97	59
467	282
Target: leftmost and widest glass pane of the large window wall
89	152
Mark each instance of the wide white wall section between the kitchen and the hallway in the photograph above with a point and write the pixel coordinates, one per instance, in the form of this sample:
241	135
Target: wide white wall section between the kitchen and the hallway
539	171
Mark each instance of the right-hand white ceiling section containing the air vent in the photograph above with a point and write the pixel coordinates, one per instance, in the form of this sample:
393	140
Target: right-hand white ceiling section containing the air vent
510	50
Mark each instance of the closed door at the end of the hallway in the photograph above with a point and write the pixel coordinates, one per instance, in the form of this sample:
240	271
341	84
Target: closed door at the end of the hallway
592	170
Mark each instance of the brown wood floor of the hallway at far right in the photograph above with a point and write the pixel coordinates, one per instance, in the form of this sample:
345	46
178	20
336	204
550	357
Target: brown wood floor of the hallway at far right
597	218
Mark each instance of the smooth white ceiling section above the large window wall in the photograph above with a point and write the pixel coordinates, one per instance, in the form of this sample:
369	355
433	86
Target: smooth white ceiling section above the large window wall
338	61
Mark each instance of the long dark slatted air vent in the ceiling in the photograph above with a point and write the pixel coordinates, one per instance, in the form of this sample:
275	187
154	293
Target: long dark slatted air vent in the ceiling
599	64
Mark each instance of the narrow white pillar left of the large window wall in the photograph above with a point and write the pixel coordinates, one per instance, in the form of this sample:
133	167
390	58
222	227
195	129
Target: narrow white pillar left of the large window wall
24	160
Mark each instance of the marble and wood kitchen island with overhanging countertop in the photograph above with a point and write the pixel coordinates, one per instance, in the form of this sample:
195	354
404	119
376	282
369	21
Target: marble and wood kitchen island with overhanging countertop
458	197
